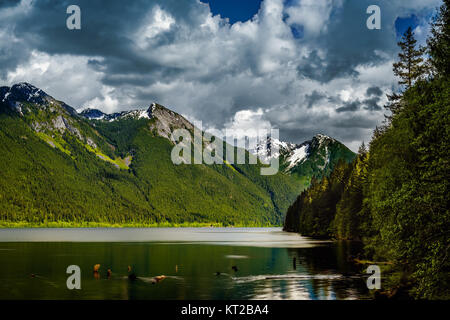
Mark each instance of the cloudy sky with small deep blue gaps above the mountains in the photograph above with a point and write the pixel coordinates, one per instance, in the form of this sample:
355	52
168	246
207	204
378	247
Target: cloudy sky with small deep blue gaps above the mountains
301	66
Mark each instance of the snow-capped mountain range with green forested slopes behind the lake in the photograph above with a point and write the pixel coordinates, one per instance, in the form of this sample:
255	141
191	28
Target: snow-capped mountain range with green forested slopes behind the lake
61	166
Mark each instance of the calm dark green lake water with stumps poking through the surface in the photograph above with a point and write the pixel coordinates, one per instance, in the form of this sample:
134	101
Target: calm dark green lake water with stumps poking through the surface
190	258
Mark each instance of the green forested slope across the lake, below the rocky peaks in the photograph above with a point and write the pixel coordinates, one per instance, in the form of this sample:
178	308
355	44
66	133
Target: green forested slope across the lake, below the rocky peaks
40	183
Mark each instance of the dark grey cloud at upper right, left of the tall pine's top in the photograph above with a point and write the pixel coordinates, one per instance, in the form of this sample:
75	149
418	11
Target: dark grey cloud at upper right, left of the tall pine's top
349	43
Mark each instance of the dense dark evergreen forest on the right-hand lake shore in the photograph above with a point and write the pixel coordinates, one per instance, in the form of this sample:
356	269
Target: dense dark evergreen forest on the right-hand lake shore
394	195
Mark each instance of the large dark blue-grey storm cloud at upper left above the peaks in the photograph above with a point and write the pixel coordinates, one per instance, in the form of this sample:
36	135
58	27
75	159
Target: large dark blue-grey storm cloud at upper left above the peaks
106	29
